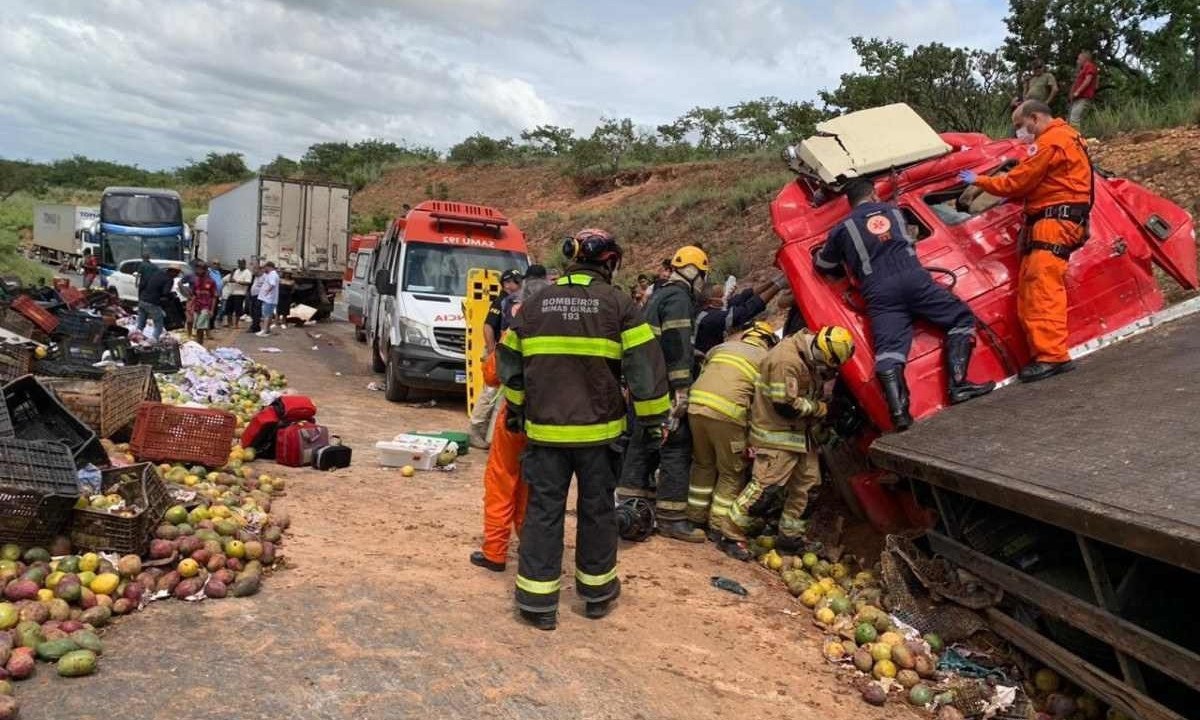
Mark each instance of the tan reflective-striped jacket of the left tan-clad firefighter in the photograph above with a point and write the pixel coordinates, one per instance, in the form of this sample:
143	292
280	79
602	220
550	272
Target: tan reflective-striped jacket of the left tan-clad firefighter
727	386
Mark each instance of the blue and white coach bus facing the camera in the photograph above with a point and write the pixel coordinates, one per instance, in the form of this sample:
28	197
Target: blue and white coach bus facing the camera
141	221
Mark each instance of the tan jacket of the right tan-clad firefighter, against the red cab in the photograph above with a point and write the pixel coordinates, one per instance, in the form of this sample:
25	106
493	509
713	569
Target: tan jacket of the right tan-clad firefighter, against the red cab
785	379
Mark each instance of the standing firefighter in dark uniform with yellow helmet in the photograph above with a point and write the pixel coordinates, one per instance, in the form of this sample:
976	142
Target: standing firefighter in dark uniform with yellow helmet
670	314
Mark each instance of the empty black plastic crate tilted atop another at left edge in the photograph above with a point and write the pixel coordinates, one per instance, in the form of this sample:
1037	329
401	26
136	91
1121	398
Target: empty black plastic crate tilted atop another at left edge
38	416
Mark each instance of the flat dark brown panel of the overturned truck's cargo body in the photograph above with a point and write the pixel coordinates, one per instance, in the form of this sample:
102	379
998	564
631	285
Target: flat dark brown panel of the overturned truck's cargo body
1109	452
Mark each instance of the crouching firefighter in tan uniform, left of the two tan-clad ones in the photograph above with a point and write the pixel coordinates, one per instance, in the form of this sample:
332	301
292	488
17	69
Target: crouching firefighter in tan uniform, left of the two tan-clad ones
718	406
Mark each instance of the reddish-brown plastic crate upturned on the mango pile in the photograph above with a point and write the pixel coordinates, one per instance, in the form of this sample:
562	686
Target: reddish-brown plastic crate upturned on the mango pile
169	434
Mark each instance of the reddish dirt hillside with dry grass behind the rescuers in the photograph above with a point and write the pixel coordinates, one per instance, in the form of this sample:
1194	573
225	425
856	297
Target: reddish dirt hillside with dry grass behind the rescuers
724	206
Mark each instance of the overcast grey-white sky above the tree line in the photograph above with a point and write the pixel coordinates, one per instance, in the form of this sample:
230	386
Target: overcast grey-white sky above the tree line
157	82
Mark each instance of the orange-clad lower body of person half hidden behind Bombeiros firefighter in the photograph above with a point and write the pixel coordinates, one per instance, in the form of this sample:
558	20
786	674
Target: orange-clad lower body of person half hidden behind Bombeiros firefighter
505	491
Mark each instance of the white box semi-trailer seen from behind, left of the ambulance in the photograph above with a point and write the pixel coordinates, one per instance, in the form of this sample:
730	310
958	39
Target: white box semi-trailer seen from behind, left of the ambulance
302	226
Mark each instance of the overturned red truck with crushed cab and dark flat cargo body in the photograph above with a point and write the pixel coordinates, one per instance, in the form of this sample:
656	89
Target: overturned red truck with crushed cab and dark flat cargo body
1077	497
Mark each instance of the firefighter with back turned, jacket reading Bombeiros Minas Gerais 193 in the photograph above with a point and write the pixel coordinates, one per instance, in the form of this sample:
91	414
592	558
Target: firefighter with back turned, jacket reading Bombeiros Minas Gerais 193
562	365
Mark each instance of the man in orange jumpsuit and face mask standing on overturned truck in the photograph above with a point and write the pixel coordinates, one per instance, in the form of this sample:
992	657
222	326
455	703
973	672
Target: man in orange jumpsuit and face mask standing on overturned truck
1057	184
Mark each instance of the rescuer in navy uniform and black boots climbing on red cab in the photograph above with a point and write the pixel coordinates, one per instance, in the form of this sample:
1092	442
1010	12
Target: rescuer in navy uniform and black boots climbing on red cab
875	247
